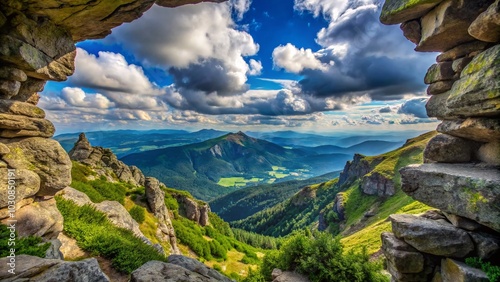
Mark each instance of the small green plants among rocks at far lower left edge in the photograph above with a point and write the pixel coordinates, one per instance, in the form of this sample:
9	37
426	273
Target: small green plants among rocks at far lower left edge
30	245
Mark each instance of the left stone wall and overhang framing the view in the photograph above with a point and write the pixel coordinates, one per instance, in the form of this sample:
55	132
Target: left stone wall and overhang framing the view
37	43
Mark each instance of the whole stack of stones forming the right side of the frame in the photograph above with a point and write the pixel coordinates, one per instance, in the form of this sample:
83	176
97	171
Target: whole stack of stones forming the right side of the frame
460	175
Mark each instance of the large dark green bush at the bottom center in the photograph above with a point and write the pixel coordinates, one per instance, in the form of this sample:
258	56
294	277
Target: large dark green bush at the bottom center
321	258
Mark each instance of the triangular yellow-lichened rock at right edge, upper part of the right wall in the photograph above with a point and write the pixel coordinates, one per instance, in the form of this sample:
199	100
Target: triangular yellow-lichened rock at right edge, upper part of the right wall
477	92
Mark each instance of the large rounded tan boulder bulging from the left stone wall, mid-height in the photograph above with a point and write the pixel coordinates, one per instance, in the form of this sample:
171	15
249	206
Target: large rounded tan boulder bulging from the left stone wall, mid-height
43	156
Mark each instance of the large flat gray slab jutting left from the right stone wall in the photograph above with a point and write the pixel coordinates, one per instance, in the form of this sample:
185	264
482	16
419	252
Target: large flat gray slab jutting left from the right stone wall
466	190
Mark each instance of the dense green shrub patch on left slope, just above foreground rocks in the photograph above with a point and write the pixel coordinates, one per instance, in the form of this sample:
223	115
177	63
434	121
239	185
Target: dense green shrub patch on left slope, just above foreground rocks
95	234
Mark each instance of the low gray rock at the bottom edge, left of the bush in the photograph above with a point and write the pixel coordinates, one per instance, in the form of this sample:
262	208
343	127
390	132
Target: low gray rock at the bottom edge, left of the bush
178	268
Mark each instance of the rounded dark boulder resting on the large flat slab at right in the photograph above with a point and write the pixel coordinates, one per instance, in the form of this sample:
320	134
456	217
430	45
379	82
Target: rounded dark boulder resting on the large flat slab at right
445	148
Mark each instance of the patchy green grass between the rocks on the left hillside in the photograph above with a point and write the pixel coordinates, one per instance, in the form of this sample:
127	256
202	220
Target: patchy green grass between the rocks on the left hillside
82	228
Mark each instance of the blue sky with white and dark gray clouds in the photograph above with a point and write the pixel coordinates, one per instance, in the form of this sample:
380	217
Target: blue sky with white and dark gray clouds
306	65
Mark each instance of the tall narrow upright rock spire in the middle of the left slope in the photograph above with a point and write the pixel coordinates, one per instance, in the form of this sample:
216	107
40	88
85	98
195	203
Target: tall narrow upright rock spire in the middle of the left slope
156	201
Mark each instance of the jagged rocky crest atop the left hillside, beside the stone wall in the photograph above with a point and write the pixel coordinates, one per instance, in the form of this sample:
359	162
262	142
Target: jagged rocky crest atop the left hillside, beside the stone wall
105	162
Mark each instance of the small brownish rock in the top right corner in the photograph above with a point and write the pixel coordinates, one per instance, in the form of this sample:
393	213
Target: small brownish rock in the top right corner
486	27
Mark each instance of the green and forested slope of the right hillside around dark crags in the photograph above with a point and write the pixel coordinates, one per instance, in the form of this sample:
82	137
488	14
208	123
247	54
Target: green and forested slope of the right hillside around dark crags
359	230
